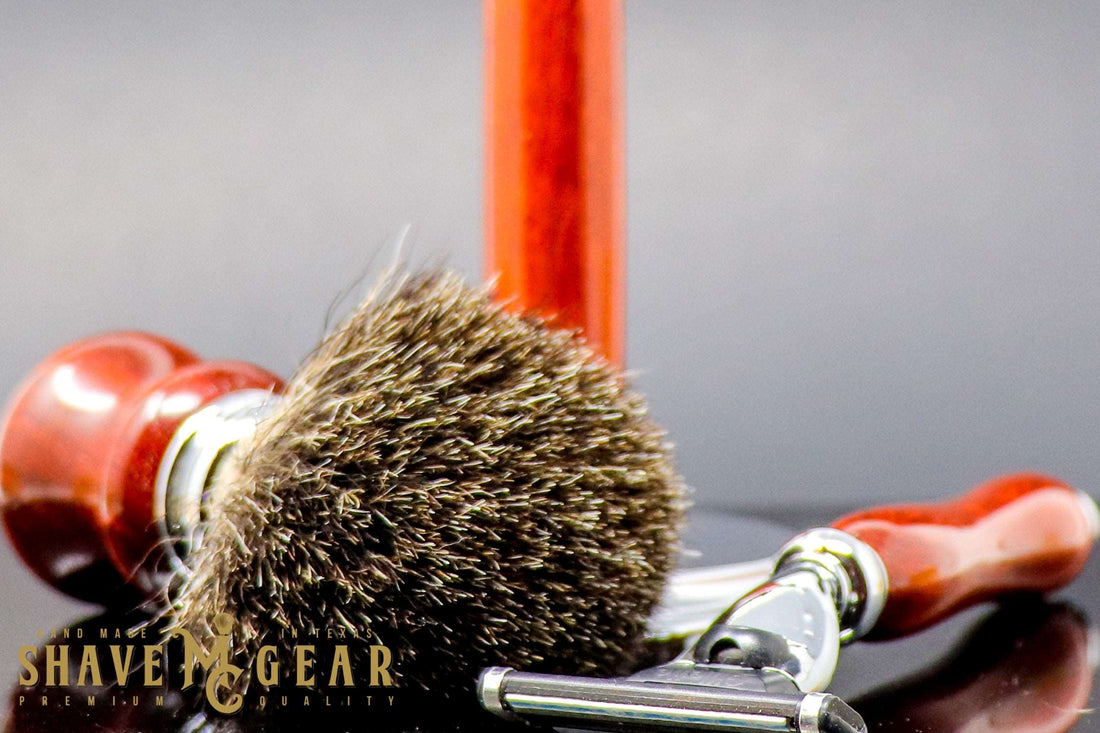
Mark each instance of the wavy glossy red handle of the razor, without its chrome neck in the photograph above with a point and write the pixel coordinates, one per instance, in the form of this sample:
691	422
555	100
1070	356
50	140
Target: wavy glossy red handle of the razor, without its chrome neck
1017	533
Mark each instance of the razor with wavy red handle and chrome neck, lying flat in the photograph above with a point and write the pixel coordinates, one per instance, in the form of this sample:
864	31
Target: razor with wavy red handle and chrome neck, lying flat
765	663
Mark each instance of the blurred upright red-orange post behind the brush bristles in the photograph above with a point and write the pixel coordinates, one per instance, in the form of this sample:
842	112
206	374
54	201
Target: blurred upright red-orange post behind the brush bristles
555	198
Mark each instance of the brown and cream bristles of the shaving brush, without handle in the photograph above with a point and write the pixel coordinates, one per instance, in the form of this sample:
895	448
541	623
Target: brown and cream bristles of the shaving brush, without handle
463	485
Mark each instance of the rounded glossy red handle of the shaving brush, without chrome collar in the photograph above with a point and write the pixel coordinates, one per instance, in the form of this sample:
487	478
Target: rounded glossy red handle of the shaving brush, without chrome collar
80	450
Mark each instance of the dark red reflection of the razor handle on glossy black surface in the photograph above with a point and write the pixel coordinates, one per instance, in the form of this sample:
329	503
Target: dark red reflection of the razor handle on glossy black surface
1027	669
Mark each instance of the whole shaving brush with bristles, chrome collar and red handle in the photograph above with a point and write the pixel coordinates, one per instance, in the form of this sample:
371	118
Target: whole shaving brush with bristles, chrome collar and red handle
463	485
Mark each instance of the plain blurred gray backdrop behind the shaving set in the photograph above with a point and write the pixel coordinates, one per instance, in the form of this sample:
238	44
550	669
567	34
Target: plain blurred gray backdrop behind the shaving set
863	238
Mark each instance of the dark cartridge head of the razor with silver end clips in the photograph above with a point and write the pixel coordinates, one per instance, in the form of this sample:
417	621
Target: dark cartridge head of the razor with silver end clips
728	699
